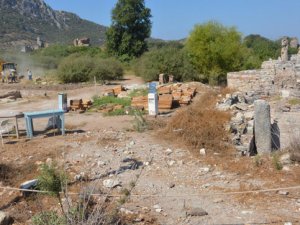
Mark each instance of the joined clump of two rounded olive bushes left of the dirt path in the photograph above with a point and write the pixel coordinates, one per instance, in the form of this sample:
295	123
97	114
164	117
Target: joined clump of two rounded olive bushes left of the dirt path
76	68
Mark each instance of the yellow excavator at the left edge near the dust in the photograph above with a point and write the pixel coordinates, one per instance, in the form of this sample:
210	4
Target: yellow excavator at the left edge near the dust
8	71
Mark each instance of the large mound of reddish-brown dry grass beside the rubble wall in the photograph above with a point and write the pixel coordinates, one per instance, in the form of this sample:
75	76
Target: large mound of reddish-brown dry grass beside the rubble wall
201	125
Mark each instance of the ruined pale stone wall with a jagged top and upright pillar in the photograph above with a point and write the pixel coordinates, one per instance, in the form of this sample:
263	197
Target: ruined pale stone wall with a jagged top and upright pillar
276	77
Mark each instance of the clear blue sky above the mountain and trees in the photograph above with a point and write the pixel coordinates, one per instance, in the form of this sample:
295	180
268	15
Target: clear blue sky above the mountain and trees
175	19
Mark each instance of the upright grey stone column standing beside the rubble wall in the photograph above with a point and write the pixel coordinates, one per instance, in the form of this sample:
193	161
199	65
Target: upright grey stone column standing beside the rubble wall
262	126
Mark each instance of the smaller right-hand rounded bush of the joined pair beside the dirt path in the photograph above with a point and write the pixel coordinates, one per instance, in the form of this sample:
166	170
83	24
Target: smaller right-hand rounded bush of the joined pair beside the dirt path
107	69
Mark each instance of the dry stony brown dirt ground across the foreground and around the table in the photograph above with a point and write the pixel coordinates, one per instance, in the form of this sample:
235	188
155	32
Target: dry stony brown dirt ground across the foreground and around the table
169	180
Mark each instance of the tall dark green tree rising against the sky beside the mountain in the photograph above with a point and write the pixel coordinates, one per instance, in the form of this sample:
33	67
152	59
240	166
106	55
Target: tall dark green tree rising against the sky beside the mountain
130	27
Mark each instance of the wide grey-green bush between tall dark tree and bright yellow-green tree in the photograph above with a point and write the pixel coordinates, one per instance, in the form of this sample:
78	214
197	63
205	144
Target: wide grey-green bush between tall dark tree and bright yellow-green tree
167	60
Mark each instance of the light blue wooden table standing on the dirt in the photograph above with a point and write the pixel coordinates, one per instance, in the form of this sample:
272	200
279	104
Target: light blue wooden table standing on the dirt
41	114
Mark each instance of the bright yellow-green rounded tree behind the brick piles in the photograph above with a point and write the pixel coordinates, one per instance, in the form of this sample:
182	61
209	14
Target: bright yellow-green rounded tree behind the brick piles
215	50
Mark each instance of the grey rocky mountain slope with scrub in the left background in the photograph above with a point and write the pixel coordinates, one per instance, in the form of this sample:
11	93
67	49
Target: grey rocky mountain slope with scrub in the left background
22	21
